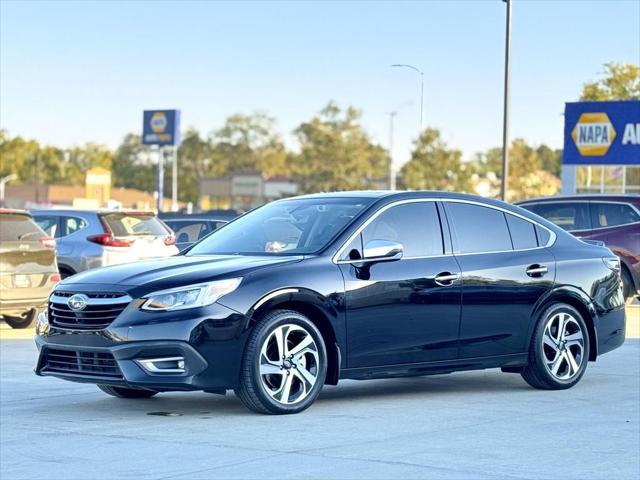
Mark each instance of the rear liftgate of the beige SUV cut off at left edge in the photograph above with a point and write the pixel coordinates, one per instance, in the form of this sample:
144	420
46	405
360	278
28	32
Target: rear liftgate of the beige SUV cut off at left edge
27	258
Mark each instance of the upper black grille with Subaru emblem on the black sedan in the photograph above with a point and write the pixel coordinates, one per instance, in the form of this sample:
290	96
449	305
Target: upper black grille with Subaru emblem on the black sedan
95	316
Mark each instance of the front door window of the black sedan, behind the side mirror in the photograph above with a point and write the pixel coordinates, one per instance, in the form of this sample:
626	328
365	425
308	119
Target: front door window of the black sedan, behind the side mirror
415	225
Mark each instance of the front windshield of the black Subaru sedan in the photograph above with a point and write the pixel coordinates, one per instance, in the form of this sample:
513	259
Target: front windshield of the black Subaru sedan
285	227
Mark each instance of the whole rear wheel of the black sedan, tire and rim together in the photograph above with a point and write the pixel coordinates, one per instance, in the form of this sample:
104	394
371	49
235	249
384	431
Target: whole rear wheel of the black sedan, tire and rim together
560	343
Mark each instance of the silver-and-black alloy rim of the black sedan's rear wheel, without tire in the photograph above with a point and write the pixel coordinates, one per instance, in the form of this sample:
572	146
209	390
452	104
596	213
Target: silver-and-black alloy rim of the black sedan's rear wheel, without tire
563	346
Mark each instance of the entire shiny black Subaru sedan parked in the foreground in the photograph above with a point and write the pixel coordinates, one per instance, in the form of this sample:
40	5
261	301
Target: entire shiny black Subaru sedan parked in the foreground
305	291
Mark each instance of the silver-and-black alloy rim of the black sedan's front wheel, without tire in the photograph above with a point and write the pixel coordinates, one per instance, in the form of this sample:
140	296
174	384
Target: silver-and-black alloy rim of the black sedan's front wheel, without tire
289	364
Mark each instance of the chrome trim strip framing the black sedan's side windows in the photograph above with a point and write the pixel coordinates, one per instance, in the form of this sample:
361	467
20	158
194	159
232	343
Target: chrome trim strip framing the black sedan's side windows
550	242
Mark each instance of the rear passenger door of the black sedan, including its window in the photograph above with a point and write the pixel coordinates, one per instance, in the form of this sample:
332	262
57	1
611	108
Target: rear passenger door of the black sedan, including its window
505	271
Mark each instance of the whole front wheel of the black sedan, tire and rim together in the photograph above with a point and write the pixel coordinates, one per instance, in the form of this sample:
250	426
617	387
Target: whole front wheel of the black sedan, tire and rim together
272	384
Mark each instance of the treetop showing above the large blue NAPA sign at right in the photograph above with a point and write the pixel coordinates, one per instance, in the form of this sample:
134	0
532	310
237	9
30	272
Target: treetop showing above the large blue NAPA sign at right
621	82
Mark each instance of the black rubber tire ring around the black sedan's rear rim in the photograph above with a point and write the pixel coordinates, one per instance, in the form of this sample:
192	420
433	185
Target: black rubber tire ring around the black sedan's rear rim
538	354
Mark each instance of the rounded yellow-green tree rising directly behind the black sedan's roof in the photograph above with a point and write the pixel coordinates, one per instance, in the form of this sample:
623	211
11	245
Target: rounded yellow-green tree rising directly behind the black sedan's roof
336	153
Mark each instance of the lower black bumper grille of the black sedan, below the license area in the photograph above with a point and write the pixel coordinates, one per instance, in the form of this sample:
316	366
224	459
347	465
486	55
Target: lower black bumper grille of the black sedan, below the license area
95	364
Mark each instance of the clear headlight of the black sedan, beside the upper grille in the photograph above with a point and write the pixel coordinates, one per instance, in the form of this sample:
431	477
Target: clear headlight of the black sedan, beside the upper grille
191	296
